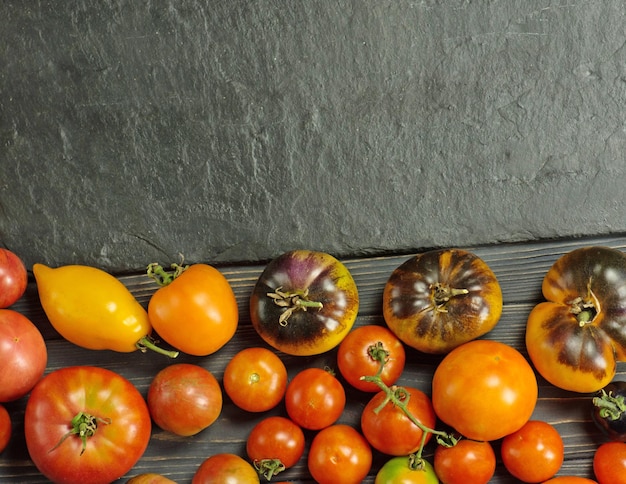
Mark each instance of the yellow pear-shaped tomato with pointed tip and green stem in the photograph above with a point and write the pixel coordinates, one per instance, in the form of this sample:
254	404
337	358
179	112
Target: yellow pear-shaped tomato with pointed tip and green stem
93	309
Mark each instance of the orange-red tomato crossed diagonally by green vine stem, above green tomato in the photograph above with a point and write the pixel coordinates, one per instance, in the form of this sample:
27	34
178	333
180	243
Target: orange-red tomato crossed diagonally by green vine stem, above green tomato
380	419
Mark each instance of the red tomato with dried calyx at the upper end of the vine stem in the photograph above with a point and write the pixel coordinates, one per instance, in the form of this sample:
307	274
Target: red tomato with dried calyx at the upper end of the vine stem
360	354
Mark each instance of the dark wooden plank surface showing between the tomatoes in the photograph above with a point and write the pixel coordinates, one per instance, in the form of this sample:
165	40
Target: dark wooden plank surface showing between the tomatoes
520	269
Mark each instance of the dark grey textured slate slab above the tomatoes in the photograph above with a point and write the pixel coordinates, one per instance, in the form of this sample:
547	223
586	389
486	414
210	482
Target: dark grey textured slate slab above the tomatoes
233	130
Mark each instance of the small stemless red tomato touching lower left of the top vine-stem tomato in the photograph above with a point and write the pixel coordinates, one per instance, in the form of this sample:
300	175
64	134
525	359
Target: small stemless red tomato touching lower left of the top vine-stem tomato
315	399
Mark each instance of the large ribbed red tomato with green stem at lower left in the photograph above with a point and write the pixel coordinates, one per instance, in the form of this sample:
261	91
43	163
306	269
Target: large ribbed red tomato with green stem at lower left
85	424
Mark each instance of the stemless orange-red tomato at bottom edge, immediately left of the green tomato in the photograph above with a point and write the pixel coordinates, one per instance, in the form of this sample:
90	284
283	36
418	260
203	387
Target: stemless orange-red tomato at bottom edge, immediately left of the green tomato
339	455
